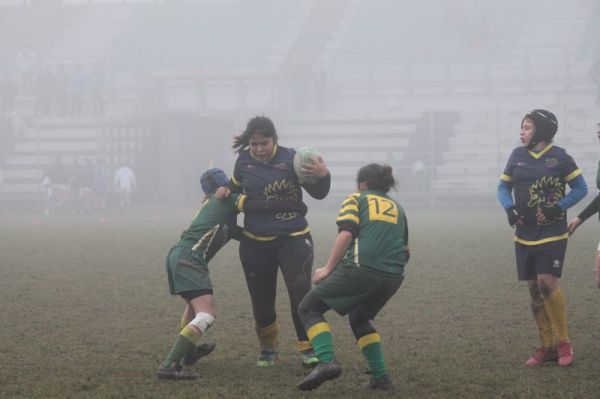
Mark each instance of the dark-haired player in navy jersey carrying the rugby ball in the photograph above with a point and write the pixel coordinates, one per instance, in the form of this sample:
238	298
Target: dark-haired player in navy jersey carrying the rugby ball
264	170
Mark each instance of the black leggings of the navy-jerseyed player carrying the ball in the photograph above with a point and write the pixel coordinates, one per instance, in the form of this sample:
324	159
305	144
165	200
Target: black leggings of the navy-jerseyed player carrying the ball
261	260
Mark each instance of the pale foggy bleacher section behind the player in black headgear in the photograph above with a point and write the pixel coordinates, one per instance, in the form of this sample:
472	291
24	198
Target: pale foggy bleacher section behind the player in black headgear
477	154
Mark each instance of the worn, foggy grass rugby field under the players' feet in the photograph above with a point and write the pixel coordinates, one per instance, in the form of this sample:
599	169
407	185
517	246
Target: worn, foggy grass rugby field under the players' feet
86	313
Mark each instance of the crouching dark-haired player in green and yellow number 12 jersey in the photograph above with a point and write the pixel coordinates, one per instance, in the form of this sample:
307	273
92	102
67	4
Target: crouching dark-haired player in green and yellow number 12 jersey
364	270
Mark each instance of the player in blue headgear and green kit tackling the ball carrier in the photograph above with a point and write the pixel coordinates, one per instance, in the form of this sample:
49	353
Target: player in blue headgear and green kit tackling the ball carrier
187	267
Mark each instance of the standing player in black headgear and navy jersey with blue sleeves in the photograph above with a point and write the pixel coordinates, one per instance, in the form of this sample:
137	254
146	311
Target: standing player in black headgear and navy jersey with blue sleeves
538	173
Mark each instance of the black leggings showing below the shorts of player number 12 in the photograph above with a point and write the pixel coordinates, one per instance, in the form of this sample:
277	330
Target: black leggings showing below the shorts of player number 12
312	308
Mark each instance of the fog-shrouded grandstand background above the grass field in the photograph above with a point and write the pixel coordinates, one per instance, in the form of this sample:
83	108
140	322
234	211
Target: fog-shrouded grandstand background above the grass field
437	89
